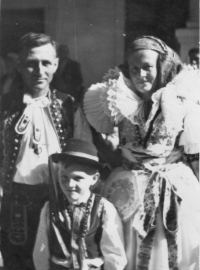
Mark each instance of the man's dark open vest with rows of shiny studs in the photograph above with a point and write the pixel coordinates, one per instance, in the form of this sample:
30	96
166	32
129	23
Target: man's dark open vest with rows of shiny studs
11	110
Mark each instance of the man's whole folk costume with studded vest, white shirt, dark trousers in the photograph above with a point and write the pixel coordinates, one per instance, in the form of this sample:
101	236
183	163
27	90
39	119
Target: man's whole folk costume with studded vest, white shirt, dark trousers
31	130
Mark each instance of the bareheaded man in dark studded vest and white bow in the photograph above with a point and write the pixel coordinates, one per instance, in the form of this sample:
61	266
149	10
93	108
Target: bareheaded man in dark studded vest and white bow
34	124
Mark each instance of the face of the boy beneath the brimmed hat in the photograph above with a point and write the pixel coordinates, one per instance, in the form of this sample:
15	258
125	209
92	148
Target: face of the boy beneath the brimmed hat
75	181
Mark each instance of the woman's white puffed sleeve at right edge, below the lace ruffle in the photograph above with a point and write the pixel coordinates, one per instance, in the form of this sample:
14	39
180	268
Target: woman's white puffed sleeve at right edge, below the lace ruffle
190	137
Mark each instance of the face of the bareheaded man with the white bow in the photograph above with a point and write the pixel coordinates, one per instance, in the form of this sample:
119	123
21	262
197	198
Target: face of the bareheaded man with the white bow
37	66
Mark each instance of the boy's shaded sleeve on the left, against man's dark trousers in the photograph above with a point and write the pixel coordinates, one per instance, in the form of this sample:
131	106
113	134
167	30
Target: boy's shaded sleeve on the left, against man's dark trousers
41	254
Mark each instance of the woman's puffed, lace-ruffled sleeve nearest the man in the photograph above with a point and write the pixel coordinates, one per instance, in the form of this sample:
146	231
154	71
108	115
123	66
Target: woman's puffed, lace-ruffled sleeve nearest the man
106	104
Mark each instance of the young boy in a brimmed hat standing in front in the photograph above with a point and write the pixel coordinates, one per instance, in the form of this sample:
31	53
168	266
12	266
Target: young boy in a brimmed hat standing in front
78	229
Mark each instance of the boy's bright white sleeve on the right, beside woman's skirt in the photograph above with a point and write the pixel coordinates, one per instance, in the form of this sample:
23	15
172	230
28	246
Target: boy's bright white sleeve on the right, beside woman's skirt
112	242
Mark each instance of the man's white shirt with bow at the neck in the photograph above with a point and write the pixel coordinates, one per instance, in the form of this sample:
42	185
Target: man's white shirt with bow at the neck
32	168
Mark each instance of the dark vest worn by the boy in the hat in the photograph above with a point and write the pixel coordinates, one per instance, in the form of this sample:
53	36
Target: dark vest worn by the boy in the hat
92	238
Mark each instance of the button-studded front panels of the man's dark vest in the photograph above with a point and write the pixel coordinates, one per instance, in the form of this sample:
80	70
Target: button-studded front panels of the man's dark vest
11	140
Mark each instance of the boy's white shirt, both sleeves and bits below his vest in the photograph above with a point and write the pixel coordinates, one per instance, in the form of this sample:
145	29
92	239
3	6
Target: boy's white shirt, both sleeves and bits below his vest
111	245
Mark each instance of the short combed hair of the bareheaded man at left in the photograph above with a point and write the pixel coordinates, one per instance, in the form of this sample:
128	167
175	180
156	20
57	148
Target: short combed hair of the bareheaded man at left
32	40
